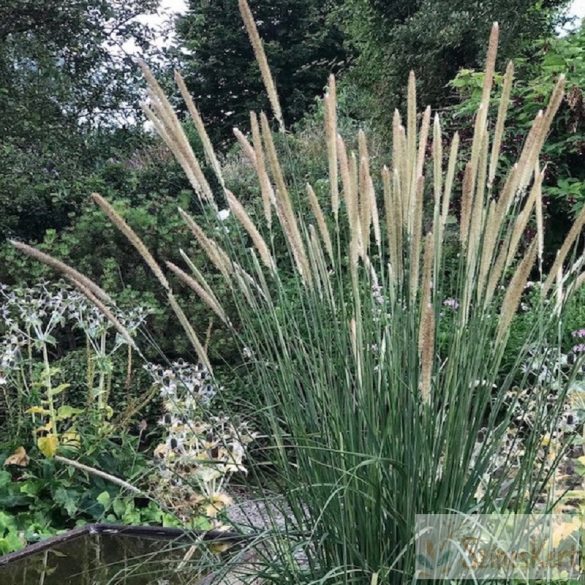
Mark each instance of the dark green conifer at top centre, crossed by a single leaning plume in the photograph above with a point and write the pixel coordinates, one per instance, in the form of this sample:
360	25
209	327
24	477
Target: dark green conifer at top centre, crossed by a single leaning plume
303	43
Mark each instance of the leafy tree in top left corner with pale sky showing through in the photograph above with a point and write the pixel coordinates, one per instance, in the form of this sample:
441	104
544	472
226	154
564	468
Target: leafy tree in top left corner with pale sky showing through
64	73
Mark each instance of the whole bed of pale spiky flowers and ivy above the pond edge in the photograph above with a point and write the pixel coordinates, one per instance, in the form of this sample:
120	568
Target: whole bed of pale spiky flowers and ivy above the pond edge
77	443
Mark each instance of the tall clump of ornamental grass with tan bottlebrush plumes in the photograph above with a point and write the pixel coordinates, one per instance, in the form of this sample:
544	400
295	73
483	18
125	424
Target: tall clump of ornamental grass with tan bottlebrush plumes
374	409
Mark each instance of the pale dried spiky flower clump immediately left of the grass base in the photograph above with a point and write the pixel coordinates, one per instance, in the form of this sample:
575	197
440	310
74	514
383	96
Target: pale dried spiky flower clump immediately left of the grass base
200	451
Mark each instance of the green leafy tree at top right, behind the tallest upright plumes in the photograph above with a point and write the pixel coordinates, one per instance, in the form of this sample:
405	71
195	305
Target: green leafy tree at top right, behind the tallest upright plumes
435	38
